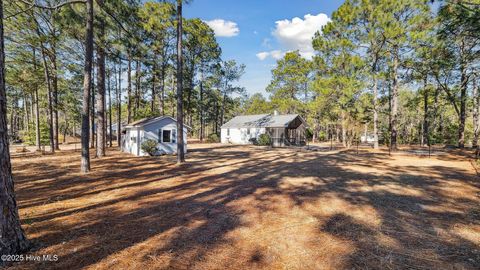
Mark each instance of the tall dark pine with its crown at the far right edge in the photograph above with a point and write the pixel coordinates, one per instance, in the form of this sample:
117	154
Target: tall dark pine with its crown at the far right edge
458	43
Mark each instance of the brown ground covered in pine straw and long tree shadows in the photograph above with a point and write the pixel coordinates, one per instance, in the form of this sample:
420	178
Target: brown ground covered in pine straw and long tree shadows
246	207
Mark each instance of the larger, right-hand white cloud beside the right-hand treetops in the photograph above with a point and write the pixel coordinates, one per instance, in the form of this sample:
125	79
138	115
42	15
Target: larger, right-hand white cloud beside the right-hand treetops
297	34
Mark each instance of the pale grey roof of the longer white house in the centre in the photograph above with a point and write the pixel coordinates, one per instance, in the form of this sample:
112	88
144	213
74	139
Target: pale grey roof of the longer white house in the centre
261	120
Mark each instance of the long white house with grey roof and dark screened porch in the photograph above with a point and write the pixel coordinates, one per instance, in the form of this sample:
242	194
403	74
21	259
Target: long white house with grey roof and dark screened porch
287	129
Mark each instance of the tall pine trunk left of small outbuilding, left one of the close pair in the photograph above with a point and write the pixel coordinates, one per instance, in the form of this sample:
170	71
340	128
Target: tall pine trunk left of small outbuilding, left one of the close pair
87	81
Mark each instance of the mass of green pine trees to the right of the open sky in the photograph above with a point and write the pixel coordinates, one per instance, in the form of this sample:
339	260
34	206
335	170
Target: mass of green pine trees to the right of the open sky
406	71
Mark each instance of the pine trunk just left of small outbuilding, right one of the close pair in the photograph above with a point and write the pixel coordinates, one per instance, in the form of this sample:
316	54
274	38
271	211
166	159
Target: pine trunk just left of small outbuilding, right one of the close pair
100	112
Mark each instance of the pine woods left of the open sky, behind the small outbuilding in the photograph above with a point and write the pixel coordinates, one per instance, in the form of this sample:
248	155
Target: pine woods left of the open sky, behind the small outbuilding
133	75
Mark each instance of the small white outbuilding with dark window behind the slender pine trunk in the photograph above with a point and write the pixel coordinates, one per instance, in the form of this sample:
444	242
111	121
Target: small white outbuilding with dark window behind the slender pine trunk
162	129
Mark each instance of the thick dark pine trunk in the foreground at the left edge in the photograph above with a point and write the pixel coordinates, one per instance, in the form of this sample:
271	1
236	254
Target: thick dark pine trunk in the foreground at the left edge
12	237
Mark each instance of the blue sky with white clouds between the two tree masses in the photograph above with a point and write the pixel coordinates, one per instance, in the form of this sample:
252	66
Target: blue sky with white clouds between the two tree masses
247	28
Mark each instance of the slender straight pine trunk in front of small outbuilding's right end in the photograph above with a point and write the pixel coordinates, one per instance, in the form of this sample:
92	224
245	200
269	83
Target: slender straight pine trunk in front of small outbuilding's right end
180	146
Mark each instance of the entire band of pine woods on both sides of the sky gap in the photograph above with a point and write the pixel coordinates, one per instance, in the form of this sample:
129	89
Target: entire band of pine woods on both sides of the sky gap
407	69
